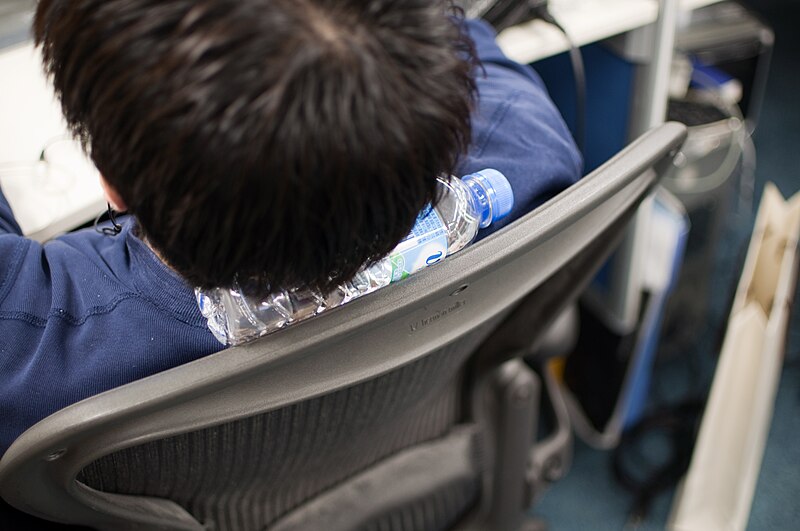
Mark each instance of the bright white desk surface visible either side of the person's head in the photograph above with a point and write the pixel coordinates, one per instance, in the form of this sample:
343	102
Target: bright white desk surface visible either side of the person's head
30	117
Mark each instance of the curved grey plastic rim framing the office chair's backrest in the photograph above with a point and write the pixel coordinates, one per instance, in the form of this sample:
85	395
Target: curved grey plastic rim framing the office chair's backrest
354	343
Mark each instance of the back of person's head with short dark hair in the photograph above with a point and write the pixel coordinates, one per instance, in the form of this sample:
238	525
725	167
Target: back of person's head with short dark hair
284	141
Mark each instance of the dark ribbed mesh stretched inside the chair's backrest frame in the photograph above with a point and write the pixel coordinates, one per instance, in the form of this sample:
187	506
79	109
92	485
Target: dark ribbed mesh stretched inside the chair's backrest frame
247	473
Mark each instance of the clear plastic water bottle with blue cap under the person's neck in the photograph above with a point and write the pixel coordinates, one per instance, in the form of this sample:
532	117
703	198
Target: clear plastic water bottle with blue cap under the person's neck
465	205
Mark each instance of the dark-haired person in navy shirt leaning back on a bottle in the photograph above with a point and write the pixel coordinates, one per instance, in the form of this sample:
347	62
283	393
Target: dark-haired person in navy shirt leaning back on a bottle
287	142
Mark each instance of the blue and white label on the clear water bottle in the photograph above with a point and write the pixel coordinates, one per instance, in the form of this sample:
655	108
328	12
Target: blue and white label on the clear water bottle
426	244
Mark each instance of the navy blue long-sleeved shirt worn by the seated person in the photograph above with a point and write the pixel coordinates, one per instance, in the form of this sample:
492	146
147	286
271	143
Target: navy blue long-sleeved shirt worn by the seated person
85	312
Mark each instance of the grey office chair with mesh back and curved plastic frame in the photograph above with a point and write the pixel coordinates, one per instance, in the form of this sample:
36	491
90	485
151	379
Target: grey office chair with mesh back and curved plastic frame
407	409
